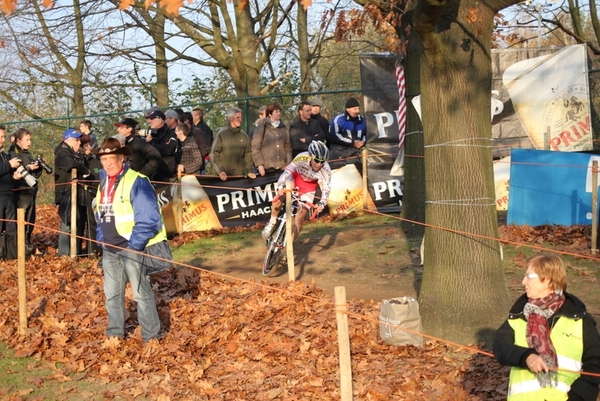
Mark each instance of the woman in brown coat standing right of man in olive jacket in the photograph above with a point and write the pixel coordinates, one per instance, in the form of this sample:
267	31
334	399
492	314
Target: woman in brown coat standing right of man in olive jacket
271	149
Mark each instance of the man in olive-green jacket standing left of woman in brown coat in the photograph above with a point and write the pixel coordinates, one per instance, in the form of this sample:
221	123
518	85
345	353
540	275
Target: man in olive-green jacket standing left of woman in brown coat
231	154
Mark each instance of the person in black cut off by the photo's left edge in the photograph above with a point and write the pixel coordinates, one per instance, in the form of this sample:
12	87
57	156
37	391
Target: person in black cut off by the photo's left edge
8	214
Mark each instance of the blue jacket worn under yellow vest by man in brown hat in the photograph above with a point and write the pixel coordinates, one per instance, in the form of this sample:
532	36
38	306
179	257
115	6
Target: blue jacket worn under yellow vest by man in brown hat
147	217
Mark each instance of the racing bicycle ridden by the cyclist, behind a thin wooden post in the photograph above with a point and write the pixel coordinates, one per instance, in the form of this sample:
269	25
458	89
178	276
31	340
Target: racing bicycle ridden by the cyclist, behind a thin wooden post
276	242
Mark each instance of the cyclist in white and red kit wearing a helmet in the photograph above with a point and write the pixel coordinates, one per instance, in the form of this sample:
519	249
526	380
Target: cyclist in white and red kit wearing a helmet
306	171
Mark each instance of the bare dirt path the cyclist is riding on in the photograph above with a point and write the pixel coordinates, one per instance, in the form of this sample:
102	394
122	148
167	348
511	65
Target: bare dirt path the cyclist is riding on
357	259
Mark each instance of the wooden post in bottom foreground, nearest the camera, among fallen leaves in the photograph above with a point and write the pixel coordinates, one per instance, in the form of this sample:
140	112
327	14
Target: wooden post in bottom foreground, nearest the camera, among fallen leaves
344	343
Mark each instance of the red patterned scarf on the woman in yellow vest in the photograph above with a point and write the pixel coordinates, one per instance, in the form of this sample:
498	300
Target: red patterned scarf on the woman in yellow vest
537	312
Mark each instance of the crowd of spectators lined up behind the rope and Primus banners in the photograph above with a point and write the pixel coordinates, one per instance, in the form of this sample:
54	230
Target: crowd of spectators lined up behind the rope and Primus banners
174	142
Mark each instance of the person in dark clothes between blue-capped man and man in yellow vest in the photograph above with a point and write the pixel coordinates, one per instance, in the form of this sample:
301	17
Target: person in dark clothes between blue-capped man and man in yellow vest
90	188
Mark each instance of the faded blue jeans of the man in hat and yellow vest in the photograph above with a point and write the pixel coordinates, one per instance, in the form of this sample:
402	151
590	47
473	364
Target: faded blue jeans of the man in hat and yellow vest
120	267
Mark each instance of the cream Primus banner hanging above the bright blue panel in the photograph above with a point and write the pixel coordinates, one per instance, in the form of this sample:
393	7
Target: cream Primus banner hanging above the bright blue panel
541	99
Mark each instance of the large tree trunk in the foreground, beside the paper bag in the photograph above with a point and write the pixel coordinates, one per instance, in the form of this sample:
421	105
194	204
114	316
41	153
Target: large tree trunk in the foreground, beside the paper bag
463	295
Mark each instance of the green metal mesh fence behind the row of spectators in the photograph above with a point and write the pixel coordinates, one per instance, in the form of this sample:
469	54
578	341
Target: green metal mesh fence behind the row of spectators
47	133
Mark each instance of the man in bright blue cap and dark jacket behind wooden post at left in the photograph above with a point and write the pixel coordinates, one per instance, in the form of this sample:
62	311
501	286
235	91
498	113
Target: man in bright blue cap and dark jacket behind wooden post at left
66	158
